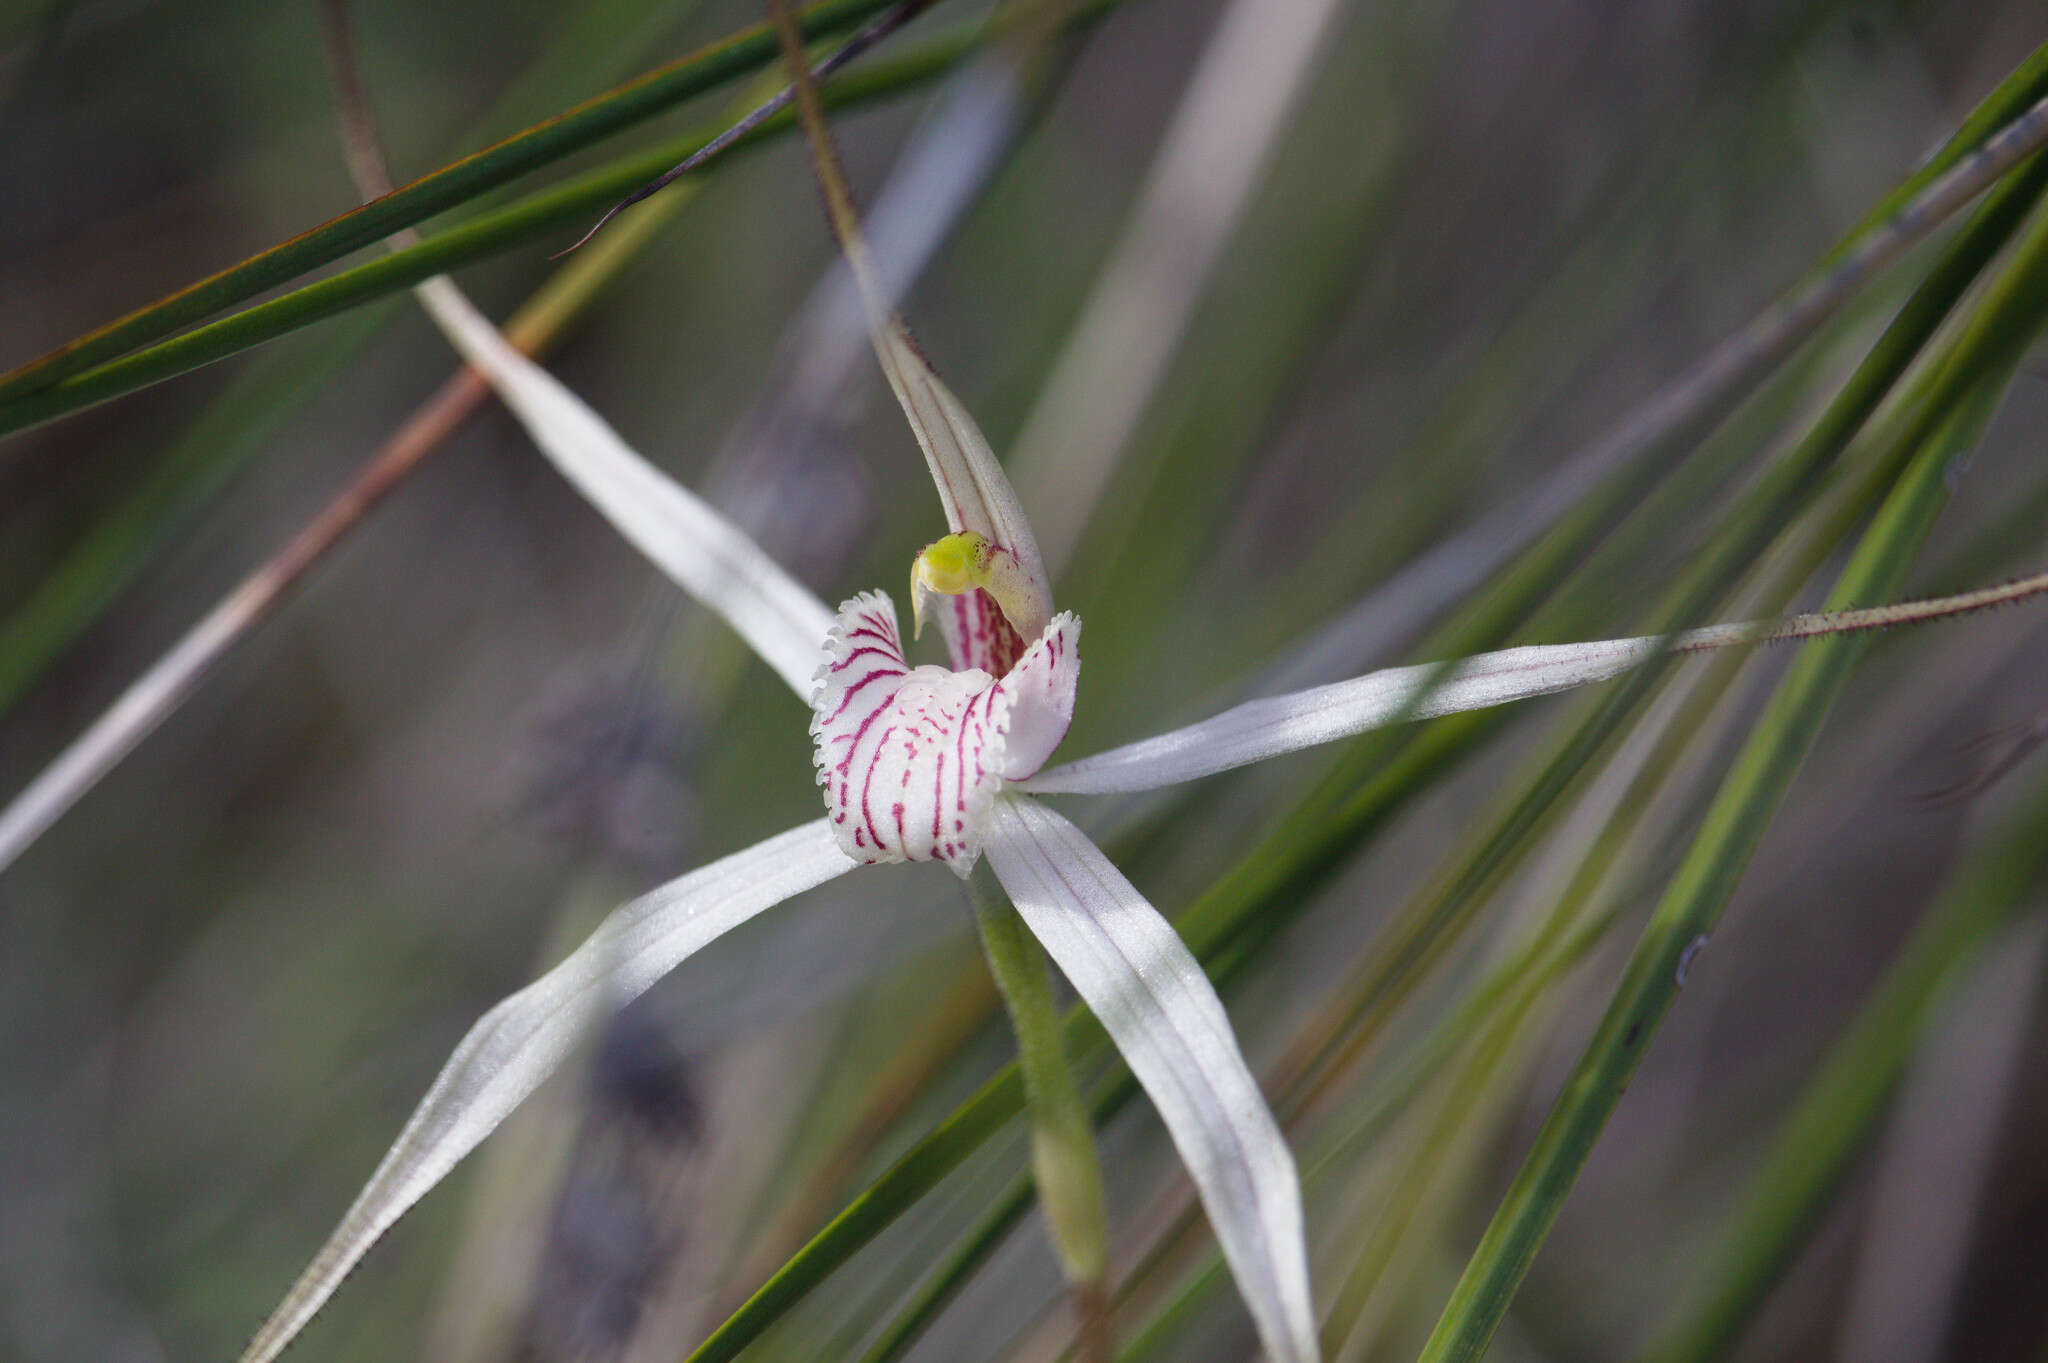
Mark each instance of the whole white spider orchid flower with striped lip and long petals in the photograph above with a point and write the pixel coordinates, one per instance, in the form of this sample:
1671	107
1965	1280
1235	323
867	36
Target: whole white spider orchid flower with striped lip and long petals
935	764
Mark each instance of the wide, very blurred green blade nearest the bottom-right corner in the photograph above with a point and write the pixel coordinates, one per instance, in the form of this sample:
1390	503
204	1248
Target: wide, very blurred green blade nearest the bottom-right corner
1844	1100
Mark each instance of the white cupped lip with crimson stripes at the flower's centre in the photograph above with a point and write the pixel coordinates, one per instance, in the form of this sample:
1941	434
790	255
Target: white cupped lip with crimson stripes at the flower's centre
912	756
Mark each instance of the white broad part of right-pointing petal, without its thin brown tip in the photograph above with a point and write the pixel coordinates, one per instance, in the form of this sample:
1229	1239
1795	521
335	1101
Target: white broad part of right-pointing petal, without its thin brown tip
1279	726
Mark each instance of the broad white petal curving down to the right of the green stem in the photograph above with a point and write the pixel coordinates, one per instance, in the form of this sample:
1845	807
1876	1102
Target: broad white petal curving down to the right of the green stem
1166	1020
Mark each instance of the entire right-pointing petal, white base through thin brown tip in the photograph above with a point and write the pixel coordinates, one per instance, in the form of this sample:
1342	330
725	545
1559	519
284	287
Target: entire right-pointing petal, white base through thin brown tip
1277	726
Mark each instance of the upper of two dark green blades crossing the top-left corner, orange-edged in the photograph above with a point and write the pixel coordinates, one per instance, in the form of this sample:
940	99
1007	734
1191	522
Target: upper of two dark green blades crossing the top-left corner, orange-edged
435	193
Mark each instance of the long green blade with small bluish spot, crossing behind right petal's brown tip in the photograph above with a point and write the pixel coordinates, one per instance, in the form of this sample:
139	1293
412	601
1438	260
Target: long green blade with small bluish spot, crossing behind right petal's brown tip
1740	814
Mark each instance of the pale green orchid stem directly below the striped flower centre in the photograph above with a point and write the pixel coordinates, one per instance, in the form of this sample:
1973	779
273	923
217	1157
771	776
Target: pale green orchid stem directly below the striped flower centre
1062	1137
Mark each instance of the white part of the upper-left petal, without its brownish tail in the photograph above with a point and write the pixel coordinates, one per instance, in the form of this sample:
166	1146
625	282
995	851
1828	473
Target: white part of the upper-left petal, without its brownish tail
708	556
